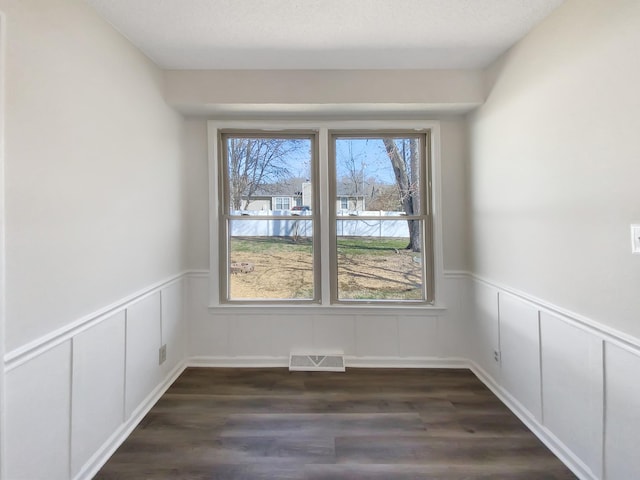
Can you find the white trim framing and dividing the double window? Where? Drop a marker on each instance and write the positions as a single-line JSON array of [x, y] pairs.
[[323, 128]]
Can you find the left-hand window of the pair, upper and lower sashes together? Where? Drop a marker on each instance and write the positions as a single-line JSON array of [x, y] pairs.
[[268, 257]]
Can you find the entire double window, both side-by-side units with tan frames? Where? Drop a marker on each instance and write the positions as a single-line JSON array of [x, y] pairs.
[[350, 223]]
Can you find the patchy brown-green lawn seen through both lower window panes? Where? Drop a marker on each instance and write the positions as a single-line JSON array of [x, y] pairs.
[[368, 269]]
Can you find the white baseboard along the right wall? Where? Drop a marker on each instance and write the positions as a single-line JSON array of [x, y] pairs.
[[544, 434]]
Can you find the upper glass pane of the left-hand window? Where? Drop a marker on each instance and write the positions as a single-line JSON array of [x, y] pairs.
[[267, 174]]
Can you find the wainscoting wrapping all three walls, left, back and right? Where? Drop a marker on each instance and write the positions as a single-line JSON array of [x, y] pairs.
[[73, 396]]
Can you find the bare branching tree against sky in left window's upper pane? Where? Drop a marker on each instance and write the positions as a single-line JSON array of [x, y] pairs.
[[254, 163]]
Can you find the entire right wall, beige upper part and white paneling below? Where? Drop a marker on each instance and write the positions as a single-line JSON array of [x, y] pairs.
[[552, 169]]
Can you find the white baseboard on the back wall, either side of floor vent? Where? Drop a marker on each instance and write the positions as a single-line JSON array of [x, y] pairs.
[[350, 361]]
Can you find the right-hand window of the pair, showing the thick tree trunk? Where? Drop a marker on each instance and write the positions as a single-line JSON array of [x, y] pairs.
[[379, 177]]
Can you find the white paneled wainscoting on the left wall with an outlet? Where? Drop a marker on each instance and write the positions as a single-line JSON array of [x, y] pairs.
[[74, 396]]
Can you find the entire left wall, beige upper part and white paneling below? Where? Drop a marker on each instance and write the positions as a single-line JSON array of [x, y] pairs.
[[95, 230]]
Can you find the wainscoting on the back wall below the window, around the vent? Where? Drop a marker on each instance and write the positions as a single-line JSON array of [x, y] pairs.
[[367, 336]]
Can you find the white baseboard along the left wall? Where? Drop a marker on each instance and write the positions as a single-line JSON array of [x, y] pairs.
[[100, 457]]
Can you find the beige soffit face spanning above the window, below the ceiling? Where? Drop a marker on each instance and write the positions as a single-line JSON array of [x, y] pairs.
[[328, 92]]
